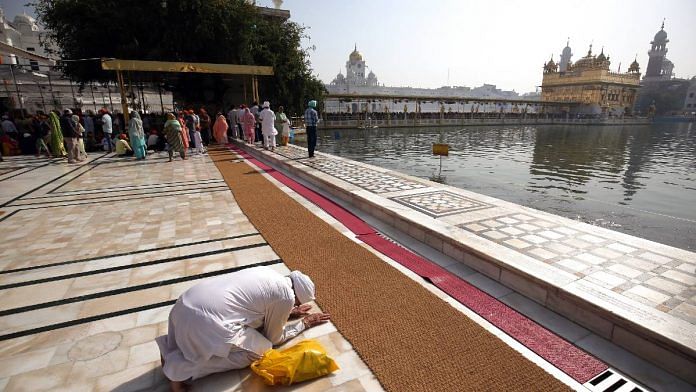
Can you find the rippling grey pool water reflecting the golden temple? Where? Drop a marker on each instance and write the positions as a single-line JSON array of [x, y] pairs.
[[636, 179]]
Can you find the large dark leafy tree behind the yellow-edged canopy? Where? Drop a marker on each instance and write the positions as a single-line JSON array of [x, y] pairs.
[[212, 31]]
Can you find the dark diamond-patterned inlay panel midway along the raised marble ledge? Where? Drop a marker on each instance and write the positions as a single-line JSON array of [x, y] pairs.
[[440, 203]]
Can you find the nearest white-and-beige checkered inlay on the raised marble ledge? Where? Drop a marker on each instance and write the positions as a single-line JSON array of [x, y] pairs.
[[656, 280]]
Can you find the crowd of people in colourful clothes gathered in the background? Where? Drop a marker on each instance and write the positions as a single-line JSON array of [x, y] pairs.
[[186, 132]]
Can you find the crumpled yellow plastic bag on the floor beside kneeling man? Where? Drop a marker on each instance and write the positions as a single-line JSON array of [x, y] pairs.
[[304, 361]]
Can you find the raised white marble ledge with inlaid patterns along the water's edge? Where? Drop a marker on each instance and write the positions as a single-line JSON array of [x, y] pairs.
[[628, 290]]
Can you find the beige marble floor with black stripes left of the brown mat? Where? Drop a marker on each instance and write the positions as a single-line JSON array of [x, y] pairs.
[[93, 257]]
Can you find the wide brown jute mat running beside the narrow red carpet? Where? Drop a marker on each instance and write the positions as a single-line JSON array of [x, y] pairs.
[[410, 339]]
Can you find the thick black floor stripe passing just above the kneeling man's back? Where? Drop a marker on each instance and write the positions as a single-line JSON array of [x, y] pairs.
[[122, 290]]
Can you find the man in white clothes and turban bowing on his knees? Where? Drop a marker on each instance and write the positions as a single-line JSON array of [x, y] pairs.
[[228, 322]]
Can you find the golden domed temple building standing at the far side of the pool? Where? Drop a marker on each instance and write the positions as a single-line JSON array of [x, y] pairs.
[[589, 86]]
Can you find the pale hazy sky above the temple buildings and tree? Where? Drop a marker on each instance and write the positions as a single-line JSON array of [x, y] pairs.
[[501, 42]]
